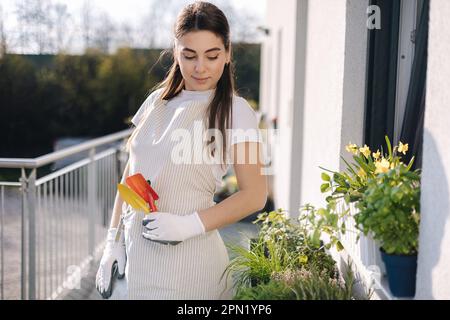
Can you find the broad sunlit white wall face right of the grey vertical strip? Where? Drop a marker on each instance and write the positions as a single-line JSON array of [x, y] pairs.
[[323, 99]]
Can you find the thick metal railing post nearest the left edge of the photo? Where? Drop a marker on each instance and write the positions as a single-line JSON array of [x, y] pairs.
[[31, 200]]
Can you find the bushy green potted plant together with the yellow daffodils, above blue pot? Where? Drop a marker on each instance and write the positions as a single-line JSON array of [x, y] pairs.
[[386, 193]]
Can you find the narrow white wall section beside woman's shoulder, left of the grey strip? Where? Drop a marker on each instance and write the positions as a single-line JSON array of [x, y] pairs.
[[277, 89]]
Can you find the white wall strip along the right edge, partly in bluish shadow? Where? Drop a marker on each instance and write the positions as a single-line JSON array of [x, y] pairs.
[[433, 274]]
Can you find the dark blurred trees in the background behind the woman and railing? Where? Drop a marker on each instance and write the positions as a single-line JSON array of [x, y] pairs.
[[47, 97]]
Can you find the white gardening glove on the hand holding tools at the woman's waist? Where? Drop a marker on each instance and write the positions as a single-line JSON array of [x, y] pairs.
[[168, 228]]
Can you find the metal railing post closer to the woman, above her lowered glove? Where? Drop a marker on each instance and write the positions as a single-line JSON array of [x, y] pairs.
[[92, 200]]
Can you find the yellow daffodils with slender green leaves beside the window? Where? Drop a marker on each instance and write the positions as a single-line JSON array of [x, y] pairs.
[[352, 183]]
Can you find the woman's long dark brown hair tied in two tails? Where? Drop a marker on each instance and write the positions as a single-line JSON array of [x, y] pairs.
[[205, 16]]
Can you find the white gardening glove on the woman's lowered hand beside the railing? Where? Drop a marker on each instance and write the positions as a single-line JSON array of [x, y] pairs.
[[113, 260]]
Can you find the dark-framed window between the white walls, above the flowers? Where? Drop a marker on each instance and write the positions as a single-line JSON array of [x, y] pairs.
[[396, 71]]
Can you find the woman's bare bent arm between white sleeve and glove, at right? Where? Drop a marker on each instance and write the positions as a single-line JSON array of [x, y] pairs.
[[252, 194]]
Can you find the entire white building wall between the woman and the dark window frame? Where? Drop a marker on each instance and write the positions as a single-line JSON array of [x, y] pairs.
[[321, 70]]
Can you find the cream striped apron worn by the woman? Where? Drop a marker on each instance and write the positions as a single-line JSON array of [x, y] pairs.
[[194, 268]]
